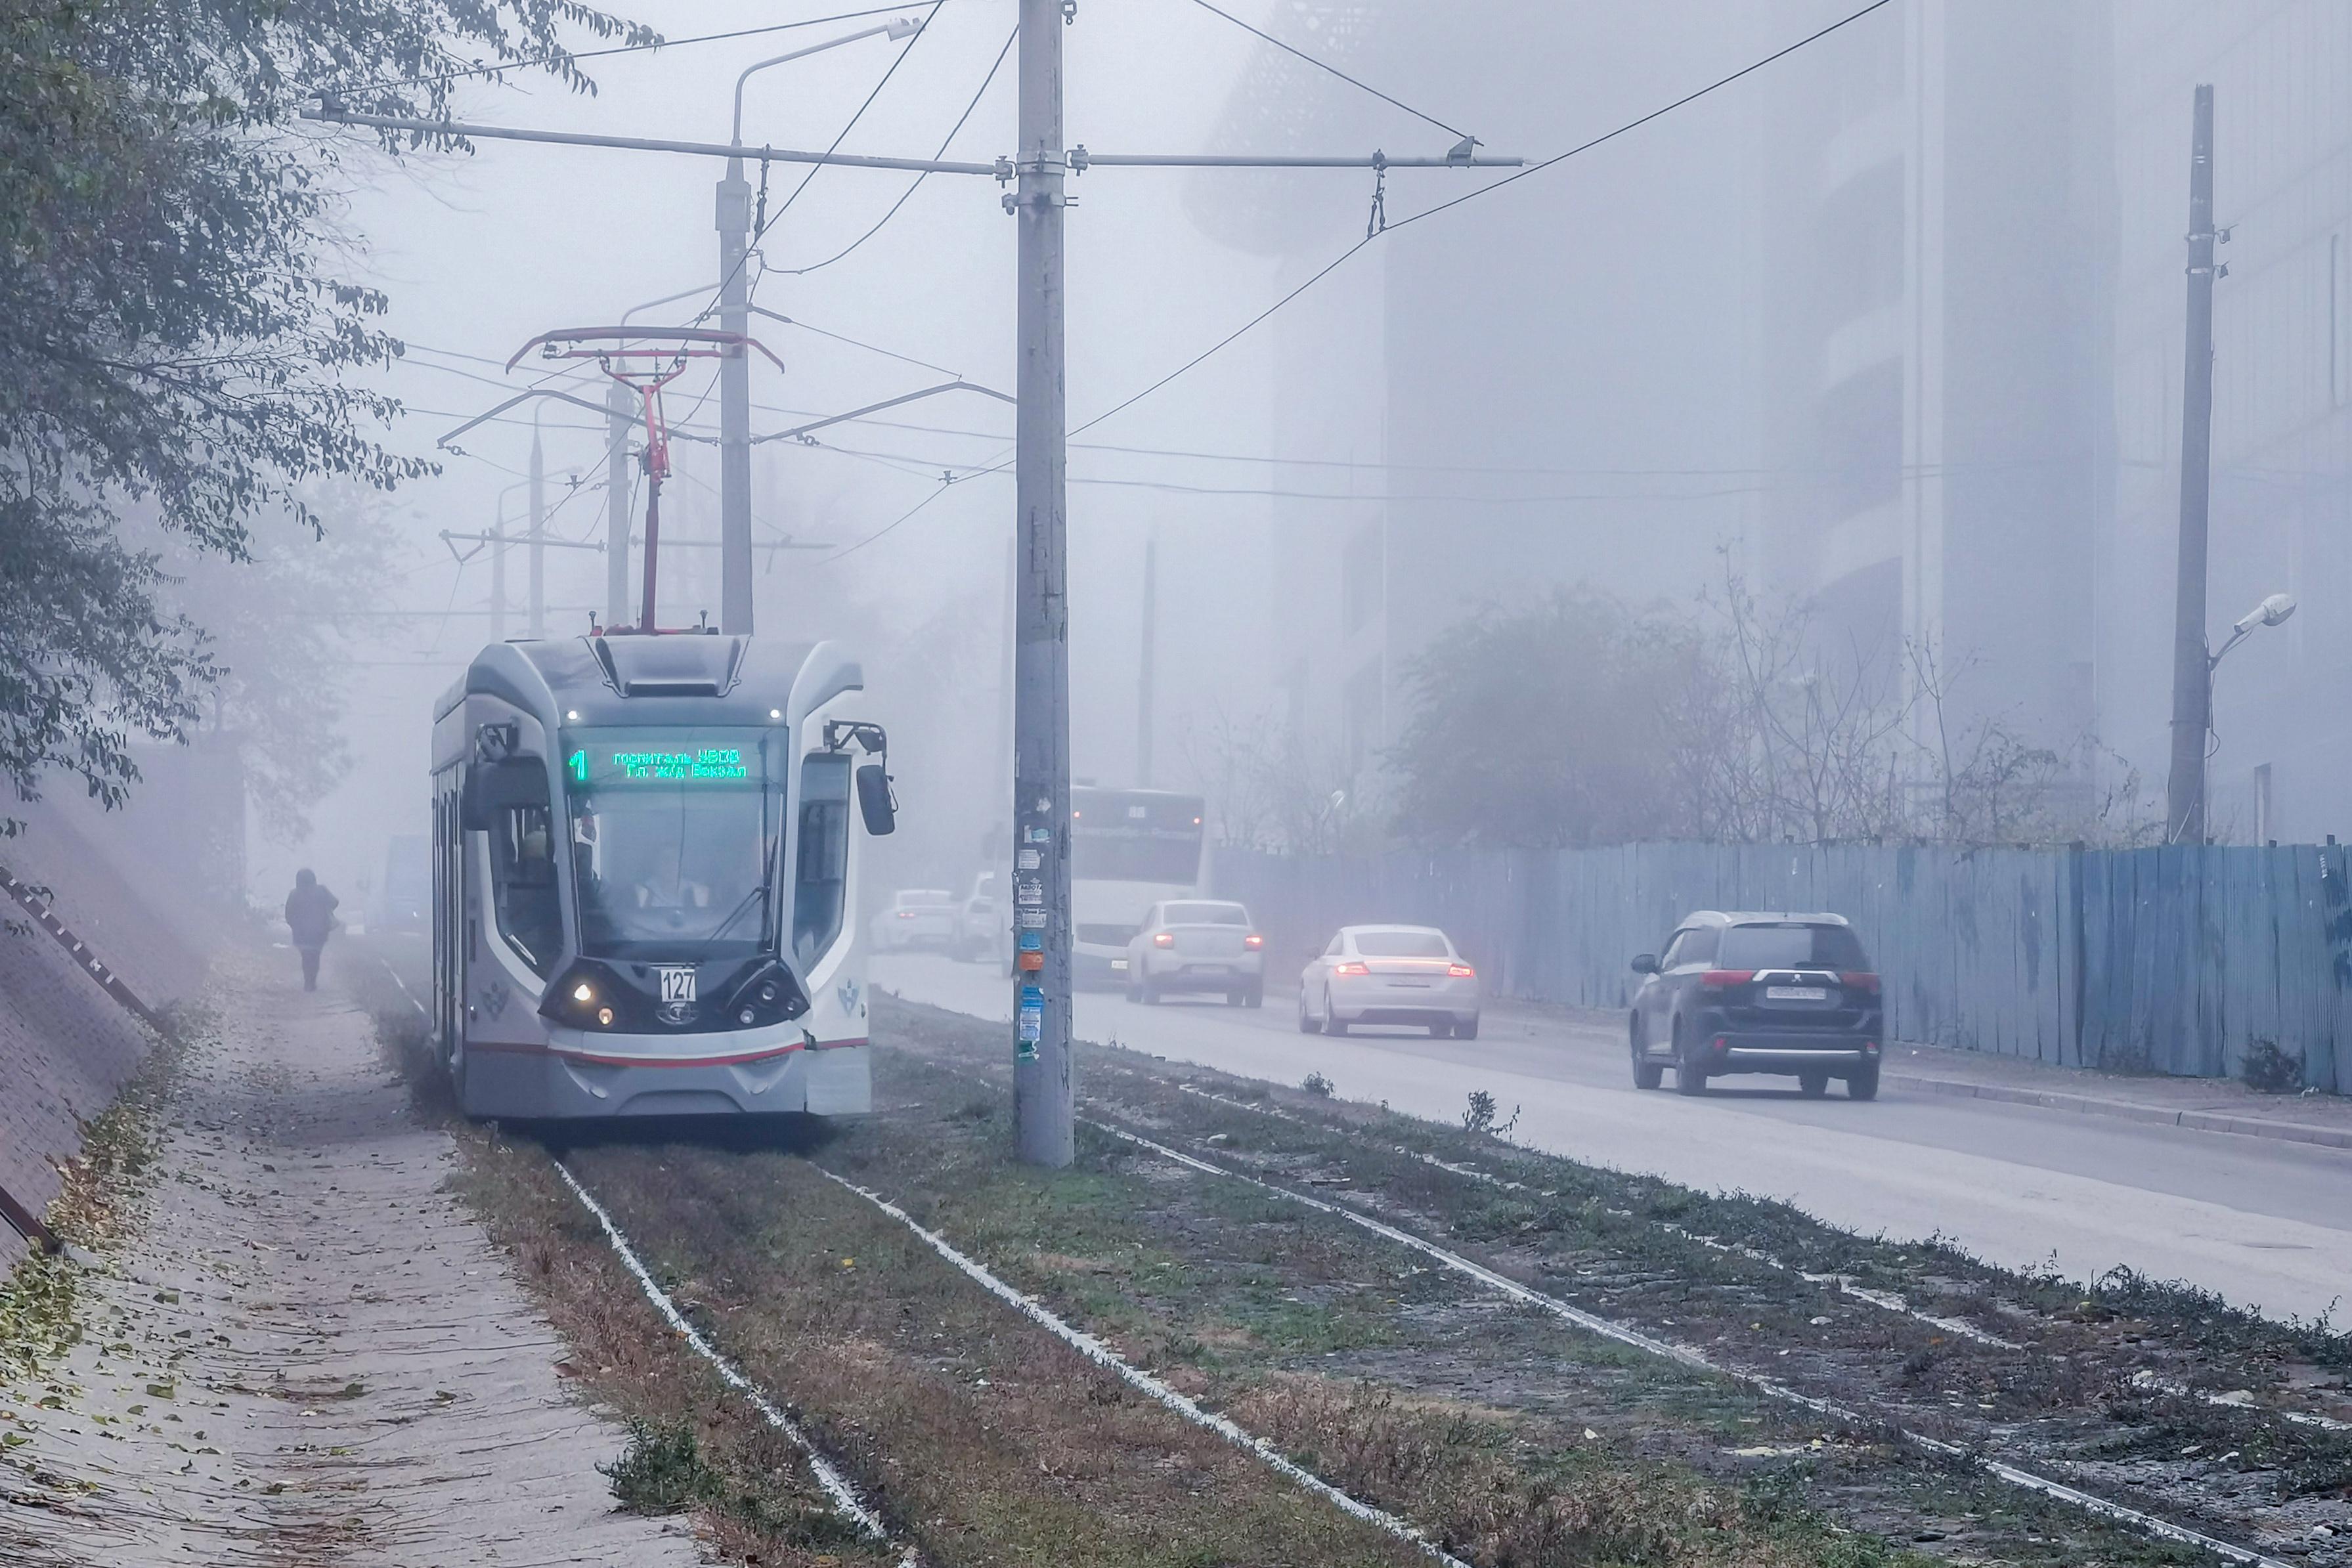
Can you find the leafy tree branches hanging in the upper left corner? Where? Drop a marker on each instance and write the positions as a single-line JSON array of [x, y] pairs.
[[175, 337]]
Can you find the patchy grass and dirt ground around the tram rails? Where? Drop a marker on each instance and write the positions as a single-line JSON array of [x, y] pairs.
[[1502, 1433]]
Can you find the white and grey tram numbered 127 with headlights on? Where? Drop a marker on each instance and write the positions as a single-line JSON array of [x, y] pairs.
[[646, 878]]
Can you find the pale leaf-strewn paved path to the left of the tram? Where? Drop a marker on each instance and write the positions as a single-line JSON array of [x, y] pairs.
[[312, 1355]]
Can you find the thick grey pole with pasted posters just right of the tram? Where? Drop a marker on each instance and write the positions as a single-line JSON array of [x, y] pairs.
[[1043, 1090]]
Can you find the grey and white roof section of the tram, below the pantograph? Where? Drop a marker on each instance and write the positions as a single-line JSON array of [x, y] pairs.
[[667, 678]]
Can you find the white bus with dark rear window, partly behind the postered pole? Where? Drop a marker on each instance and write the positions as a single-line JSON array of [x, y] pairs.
[[1128, 852]]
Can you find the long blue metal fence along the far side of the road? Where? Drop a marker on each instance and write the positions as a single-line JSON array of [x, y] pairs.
[[2165, 960]]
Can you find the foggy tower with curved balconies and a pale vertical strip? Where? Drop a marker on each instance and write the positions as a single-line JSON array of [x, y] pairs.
[[1930, 286]]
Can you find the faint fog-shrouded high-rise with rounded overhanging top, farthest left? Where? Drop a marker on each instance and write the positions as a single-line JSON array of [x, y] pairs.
[[1546, 387]]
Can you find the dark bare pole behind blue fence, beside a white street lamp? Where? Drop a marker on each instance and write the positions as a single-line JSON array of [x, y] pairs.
[[2193, 674]]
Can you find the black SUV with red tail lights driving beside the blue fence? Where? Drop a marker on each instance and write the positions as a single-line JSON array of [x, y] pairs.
[[1758, 993]]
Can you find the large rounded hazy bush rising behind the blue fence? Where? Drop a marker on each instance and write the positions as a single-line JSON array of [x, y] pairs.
[[1546, 728]]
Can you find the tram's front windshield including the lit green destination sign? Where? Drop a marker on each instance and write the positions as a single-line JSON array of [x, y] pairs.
[[674, 838]]
